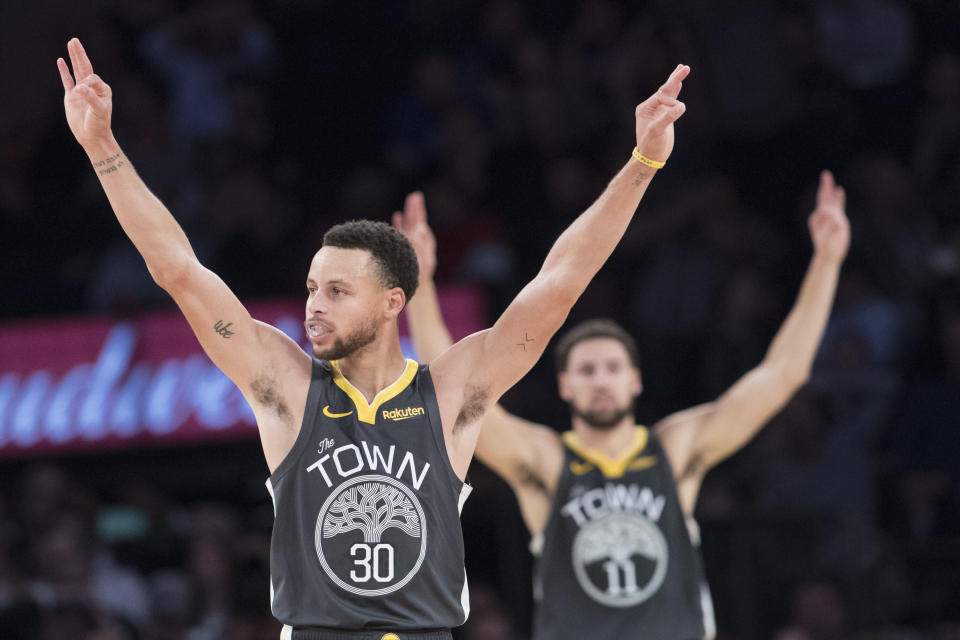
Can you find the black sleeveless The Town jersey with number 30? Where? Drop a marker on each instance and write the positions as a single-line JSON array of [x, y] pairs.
[[367, 530]]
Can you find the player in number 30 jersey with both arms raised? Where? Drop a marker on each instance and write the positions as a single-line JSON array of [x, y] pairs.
[[367, 451]]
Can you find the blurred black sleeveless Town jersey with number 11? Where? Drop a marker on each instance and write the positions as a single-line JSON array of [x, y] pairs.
[[617, 557]]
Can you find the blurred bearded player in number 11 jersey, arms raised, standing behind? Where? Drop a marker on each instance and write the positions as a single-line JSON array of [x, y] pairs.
[[610, 504]]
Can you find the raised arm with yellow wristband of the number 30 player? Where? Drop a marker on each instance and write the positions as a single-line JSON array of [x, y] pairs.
[[475, 372]]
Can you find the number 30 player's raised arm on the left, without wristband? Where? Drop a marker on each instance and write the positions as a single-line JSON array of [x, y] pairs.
[[269, 368]]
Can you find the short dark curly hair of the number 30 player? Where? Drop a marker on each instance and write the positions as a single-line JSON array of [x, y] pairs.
[[396, 260]]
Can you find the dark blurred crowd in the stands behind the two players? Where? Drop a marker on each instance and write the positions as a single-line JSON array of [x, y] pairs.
[[261, 124]]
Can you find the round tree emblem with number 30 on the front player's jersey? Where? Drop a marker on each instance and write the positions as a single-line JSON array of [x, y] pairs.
[[371, 535]]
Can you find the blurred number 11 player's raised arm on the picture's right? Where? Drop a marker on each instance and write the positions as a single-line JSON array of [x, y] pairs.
[[699, 438]]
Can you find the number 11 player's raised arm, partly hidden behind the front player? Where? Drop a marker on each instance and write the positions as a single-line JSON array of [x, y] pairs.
[[528, 456]]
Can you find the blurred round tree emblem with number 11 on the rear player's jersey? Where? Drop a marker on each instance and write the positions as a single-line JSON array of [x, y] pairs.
[[620, 559]]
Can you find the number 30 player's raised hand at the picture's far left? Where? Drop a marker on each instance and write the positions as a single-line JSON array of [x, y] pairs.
[[87, 99]]
